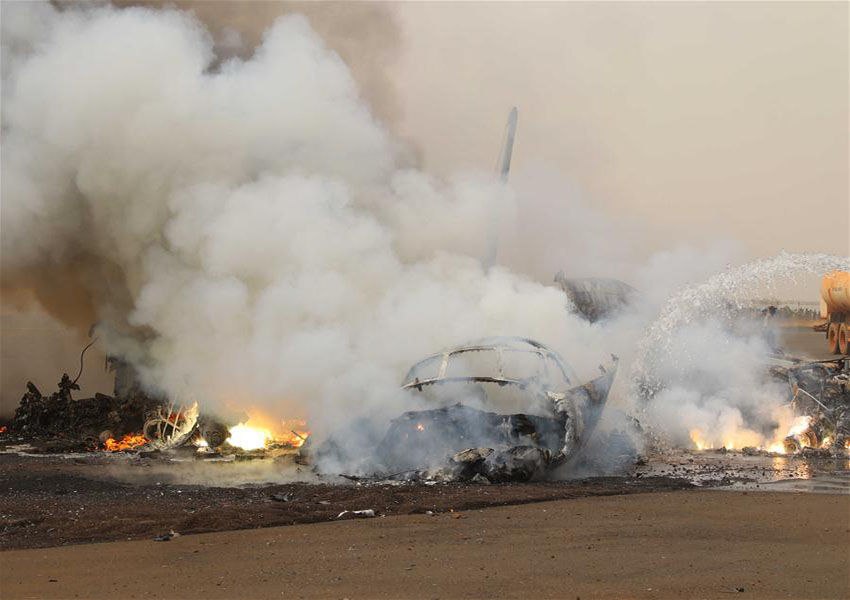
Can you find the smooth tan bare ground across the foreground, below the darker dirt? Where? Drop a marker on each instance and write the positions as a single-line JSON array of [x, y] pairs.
[[686, 544]]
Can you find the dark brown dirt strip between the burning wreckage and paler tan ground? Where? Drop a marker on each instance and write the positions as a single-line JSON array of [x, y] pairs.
[[50, 501]]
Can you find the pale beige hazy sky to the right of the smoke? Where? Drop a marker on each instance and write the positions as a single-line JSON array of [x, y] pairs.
[[706, 119]]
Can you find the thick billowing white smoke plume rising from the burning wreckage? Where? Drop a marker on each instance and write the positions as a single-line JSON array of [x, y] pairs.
[[247, 234]]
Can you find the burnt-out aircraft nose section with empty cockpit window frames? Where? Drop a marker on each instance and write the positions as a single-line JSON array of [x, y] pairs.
[[507, 409]]
